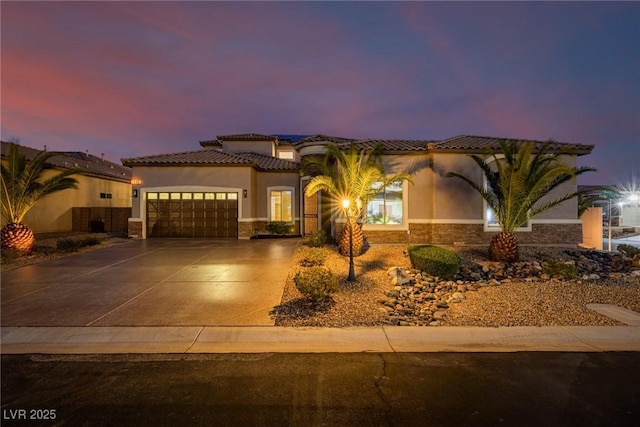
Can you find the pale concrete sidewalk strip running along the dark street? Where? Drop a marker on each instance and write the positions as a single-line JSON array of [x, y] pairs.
[[206, 339]]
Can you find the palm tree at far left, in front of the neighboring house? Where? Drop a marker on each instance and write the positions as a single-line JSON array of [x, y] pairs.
[[23, 186]]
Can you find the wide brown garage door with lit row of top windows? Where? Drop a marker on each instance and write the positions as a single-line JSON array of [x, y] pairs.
[[172, 214]]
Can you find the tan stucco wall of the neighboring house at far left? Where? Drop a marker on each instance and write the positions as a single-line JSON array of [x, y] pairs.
[[53, 213]]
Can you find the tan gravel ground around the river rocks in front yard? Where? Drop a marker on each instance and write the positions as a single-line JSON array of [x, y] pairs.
[[506, 302]]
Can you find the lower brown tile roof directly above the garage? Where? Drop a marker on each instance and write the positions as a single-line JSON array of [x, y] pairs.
[[213, 158]]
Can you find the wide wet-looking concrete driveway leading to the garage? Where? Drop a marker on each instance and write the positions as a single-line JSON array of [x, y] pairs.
[[157, 282]]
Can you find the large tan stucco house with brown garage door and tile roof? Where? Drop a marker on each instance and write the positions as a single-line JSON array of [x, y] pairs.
[[237, 183]]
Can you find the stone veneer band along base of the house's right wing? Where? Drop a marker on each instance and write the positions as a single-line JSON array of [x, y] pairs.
[[472, 234]]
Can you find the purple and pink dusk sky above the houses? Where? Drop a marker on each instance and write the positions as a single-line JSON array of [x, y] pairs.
[[129, 79]]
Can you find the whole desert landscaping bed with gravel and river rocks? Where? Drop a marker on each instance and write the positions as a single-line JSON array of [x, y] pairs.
[[483, 294]]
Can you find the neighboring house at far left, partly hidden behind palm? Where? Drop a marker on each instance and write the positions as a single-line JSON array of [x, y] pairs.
[[102, 201]]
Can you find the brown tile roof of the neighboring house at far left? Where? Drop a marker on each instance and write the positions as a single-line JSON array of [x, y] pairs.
[[92, 165]]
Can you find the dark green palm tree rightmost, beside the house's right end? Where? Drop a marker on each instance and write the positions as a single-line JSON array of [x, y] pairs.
[[517, 185]]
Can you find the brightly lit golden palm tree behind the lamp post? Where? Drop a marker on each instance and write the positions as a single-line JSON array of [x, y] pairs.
[[354, 176]]
